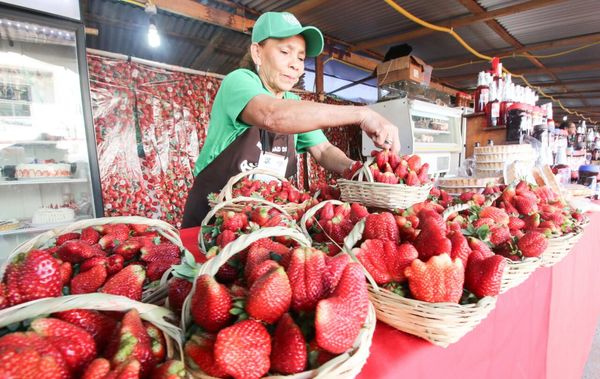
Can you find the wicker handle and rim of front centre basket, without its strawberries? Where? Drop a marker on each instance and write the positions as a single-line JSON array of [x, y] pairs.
[[346, 365]]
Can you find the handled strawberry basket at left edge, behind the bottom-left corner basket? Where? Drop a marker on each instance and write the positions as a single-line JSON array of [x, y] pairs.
[[129, 256]]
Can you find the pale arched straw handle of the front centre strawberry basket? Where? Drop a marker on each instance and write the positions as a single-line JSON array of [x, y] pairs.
[[211, 267]]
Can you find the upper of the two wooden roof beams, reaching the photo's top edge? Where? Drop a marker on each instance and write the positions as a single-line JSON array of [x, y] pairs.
[[456, 23]]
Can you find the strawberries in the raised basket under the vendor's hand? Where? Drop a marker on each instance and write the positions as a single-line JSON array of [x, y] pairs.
[[390, 168]]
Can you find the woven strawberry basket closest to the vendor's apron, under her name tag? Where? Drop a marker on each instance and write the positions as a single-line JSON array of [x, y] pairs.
[[279, 191]]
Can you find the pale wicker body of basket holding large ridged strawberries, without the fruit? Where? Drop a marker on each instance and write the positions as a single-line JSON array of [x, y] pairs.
[[439, 323]]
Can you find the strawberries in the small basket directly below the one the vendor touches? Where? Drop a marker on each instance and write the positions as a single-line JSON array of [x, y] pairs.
[[331, 224]]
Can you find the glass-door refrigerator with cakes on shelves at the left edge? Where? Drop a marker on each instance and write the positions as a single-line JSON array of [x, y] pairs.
[[49, 171]]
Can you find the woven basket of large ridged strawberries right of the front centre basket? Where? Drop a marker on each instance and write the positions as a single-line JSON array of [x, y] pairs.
[[429, 284]]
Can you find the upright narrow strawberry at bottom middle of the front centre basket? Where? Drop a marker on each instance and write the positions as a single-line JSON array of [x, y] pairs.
[[288, 351]]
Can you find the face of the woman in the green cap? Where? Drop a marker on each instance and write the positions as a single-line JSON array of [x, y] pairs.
[[280, 62]]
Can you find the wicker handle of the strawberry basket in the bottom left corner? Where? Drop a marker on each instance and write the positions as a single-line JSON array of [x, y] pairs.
[[161, 317]]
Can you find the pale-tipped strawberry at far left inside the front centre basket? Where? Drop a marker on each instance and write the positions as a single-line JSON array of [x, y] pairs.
[[211, 304]]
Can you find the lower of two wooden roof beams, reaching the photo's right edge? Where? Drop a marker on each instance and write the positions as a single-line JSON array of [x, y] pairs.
[[579, 40]]
